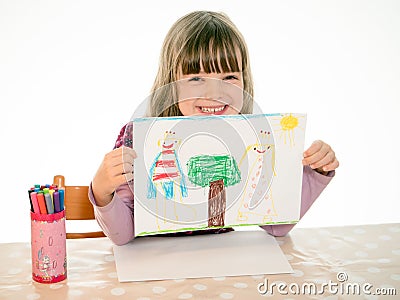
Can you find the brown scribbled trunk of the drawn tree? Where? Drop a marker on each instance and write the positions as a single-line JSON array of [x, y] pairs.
[[216, 203]]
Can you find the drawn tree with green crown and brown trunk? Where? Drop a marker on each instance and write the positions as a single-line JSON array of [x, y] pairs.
[[217, 172]]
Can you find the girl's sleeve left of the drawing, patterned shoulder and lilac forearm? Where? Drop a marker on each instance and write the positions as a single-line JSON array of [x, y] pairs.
[[116, 218]]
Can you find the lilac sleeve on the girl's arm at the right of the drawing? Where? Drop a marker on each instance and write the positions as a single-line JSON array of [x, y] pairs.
[[313, 185]]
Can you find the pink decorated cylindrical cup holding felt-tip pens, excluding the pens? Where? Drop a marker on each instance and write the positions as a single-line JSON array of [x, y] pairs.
[[48, 244]]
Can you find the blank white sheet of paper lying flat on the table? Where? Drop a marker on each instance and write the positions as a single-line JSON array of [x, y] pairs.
[[212, 255]]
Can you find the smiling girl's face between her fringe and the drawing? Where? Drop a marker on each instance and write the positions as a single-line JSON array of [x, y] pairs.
[[210, 93]]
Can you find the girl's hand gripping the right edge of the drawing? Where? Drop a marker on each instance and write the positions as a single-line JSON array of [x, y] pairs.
[[320, 157]]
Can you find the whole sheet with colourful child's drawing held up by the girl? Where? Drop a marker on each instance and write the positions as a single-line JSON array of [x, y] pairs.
[[217, 171]]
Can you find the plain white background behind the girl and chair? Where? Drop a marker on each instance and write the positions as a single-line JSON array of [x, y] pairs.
[[72, 73]]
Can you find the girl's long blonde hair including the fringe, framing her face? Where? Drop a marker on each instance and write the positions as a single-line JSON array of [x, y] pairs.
[[199, 39]]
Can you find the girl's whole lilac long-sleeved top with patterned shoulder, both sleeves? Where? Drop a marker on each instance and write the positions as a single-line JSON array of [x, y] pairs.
[[116, 218]]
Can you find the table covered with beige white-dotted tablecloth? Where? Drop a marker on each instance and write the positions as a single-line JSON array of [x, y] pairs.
[[367, 256]]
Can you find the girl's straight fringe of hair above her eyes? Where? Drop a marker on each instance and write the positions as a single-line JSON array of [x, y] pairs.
[[214, 49]]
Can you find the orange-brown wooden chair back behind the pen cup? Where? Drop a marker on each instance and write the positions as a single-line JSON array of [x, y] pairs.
[[77, 207]]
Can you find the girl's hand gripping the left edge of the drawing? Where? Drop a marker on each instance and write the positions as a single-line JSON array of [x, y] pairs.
[[116, 169]]
